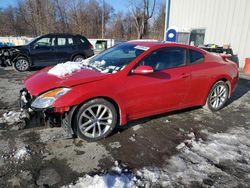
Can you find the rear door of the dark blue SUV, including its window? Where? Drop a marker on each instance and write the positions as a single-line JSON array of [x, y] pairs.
[[64, 49]]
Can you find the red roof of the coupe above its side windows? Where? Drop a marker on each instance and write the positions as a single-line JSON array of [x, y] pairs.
[[158, 44]]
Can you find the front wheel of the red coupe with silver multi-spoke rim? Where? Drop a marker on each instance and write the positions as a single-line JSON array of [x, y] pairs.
[[95, 120]]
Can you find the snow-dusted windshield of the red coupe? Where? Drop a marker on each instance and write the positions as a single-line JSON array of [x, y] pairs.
[[116, 58]]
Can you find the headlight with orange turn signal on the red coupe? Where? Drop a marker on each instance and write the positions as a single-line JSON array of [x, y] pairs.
[[47, 99]]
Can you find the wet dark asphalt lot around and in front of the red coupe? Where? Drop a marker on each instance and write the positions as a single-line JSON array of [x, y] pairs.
[[54, 160]]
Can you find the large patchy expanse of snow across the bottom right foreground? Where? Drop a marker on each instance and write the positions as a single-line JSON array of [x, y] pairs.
[[222, 160]]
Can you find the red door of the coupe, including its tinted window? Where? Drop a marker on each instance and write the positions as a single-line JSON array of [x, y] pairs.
[[164, 89]]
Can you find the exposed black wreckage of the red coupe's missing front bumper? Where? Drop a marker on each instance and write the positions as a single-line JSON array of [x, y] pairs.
[[47, 116]]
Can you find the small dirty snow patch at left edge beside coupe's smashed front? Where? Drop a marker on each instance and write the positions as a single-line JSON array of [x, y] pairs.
[[13, 117]]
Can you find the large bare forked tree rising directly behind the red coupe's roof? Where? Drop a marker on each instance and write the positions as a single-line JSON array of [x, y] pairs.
[[142, 11]]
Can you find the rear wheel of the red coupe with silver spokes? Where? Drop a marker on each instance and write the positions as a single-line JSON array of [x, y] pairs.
[[217, 96]]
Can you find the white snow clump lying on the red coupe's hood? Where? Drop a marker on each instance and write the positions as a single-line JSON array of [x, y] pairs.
[[63, 69]]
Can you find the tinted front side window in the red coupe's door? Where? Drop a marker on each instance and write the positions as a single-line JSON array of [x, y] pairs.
[[165, 58]]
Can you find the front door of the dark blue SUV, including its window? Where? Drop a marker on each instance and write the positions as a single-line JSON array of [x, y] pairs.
[[42, 51]]
